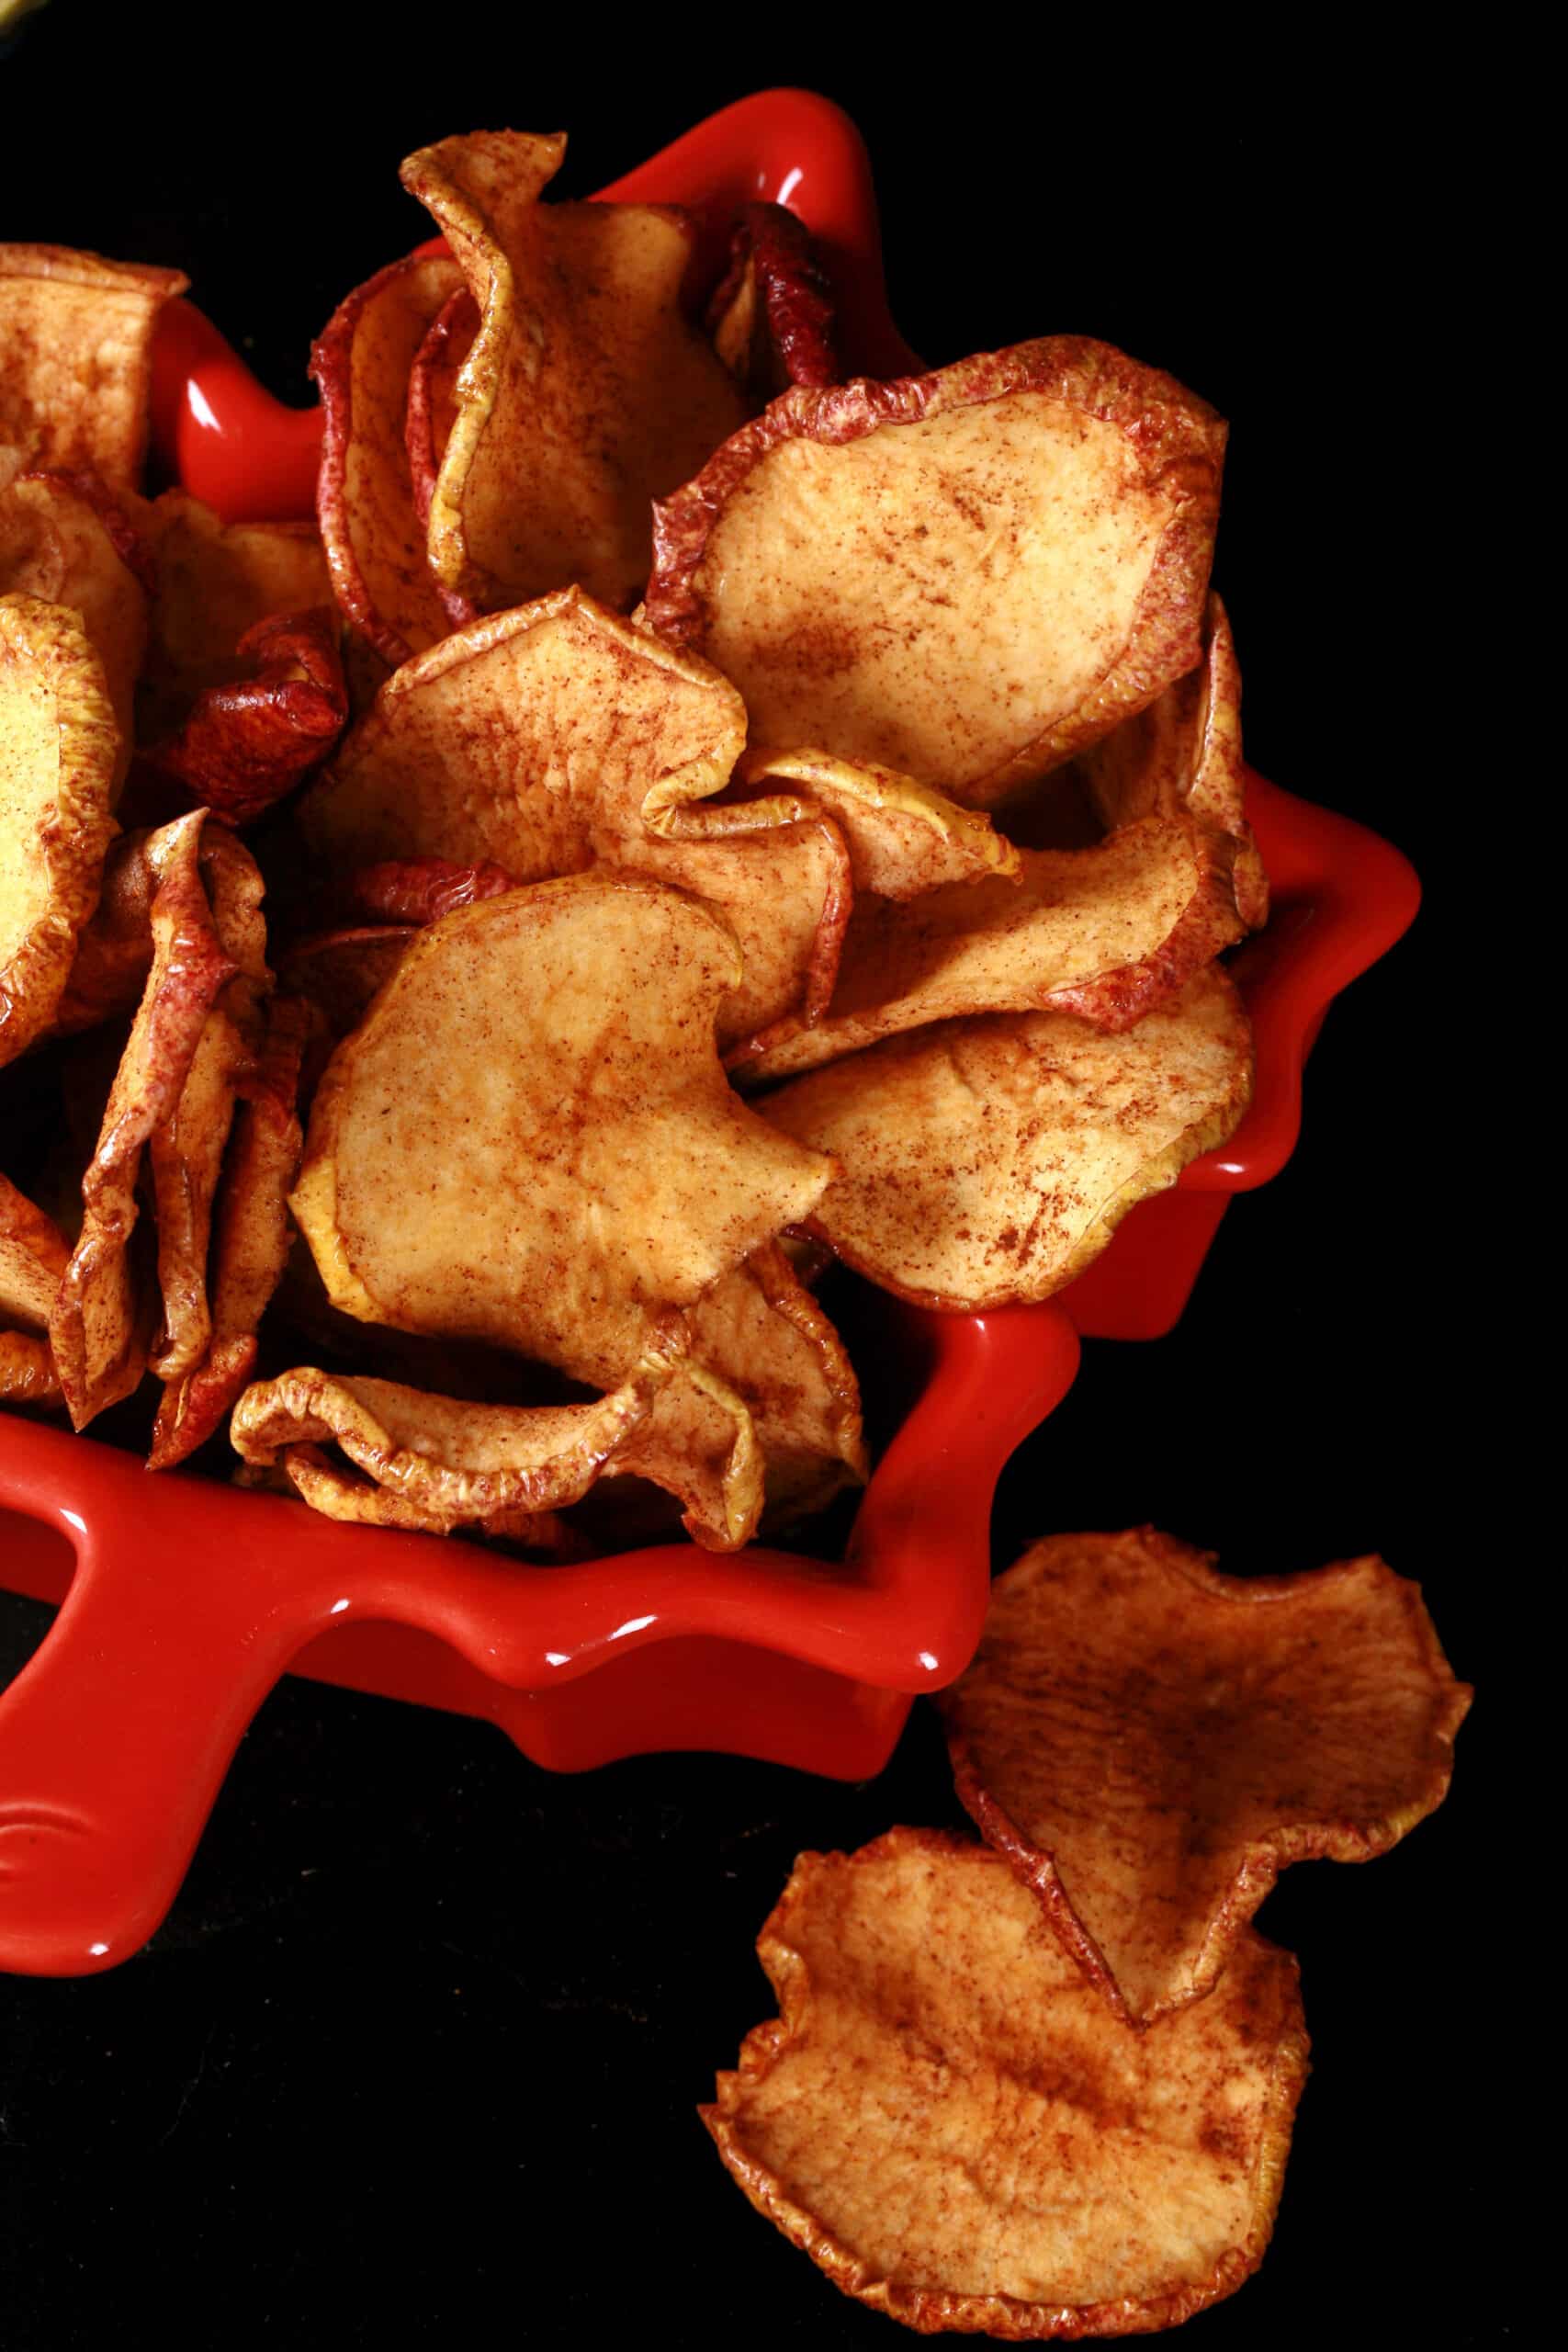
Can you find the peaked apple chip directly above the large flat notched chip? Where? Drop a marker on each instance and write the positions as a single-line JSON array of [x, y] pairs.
[[525, 740]]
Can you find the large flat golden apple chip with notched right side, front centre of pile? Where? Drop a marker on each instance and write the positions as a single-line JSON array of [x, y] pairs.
[[530, 1137]]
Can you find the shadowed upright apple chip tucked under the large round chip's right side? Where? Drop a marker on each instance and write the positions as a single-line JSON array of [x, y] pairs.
[[1184, 756]]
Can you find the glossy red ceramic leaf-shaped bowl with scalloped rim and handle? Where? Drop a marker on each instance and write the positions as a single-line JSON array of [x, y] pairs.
[[185, 1601]]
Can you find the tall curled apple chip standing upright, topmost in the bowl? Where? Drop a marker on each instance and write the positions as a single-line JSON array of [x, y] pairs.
[[587, 392]]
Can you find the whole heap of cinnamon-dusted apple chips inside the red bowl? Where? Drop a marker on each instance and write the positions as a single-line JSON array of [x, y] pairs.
[[711, 817]]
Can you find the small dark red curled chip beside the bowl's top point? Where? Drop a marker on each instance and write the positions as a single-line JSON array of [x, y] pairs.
[[772, 314]]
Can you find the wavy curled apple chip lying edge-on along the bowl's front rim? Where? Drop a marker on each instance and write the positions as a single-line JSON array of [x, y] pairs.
[[455, 1462]]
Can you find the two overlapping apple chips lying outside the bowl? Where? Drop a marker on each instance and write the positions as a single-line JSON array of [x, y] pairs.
[[1045, 2085]]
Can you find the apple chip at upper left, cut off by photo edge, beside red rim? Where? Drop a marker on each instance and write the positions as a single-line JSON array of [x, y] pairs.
[[76, 359]]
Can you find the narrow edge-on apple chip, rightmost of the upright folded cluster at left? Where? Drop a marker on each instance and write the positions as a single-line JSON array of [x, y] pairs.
[[250, 1238]]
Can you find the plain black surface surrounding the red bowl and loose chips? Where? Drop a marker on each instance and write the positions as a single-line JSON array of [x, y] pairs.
[[427, 2029]]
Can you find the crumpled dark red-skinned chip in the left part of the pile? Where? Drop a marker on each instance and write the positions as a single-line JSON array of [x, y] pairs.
[[246, 744]]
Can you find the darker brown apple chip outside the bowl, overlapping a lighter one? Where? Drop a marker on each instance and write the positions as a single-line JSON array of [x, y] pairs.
[[1254, 1723]]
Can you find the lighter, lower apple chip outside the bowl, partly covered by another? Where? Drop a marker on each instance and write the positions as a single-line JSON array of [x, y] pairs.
[[960, 2134]]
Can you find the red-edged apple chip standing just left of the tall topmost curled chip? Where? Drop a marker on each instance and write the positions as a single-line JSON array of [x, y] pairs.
[[366, 497]]
